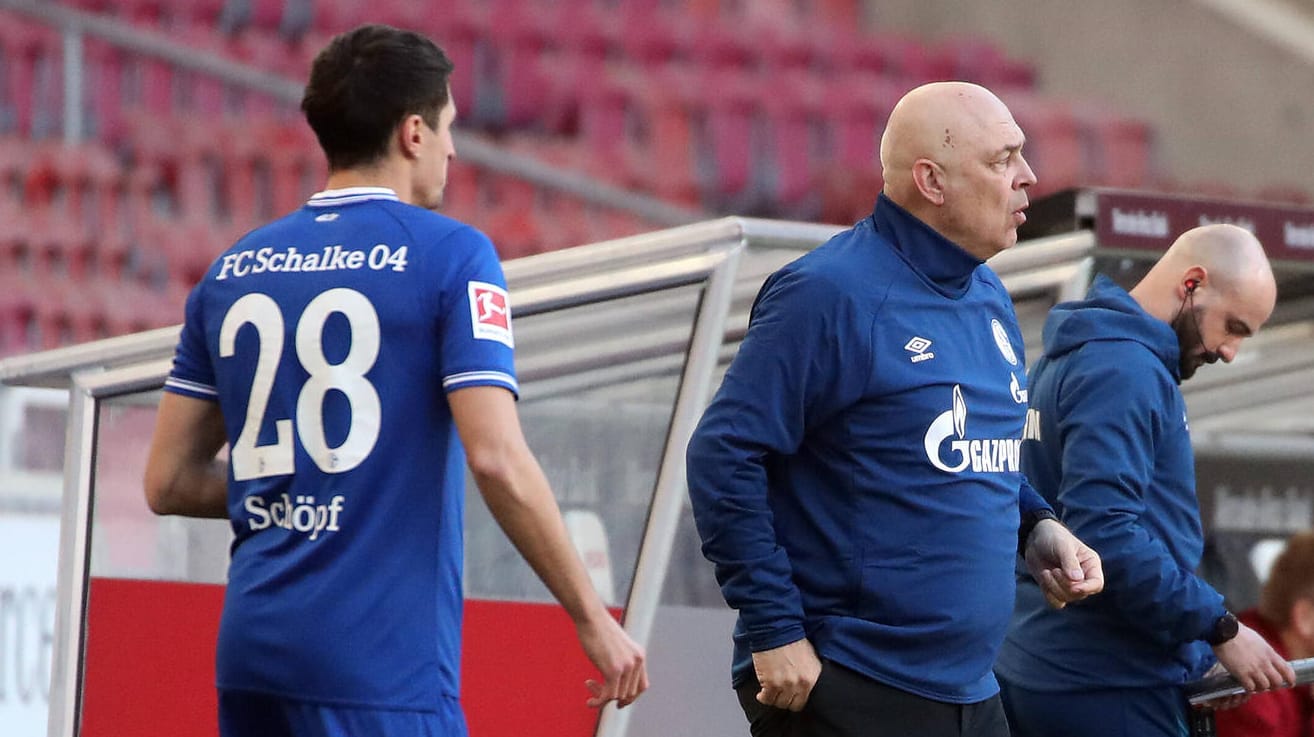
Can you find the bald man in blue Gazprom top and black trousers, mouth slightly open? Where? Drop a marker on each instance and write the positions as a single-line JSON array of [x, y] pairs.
[[856, 479]]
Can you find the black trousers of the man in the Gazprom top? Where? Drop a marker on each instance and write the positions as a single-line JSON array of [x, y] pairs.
[[846, 703]]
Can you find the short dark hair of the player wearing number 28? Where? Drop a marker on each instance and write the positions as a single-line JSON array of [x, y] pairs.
[[365, 83]]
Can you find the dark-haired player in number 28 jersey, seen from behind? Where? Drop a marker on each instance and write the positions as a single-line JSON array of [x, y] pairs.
[[357, 355]]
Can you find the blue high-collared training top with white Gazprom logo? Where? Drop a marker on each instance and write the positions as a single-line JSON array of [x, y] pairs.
[[856, 479]]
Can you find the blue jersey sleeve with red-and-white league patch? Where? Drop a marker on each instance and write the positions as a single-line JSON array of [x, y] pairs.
[[475, 328]]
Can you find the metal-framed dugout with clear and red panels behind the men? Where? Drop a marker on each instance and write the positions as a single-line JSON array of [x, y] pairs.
[[620, 347]]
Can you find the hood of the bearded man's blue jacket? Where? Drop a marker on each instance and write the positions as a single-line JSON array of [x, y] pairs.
[[1110, 313]]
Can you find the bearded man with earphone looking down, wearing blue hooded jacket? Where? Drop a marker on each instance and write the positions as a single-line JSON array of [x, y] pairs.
[[1112, 455]]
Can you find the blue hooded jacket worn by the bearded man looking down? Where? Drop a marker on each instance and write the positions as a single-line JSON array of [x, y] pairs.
[[1115, 460]]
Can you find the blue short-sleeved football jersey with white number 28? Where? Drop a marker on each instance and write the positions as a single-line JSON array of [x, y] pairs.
[[330, 338]]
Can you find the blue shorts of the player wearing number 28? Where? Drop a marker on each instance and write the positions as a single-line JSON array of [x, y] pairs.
[[244, 714]]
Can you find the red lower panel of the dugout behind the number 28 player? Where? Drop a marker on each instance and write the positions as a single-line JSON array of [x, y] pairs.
[[150, 665]]
